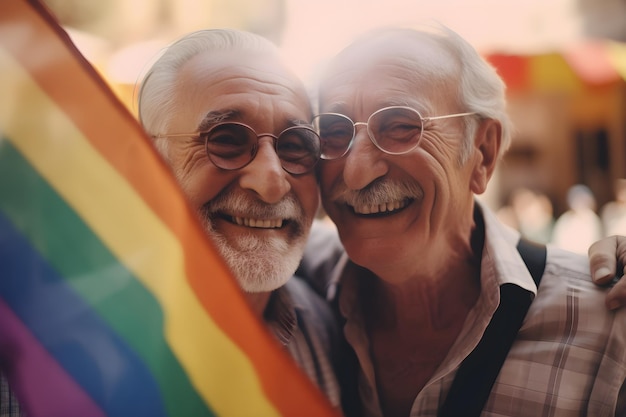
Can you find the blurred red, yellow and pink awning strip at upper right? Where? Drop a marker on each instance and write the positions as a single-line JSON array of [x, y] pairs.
[[585, 65]]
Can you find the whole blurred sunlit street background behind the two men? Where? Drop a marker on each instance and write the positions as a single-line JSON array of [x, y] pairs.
[[564, 62]]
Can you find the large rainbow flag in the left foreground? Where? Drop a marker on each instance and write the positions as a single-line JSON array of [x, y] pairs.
[[112, 300]]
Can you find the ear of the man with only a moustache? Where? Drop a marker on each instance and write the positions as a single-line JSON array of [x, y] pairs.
[[486, 146]]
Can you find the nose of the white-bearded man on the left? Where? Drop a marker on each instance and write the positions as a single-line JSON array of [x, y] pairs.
[[265, 175]]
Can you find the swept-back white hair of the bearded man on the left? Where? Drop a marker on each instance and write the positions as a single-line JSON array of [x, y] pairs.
[[156, 104]]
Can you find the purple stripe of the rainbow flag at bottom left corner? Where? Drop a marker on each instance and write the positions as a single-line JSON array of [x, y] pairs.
[[31, 379]]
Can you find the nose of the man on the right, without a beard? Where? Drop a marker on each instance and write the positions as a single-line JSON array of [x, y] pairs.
[[364, 162]]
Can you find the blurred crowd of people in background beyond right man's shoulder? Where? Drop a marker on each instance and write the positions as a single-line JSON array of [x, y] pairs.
[[531, 212]]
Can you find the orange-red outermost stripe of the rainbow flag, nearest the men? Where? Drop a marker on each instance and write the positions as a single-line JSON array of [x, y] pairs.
[[287, 388]]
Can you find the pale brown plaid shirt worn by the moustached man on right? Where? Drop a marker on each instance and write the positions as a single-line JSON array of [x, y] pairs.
[[569, 358]]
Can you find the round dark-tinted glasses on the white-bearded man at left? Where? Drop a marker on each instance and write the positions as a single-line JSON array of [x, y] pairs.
[[234, 145]]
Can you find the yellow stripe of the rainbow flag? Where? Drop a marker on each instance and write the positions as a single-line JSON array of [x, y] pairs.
[[216, 366]]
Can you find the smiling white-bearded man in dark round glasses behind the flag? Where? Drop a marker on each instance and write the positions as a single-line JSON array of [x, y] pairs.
[[233, 123]]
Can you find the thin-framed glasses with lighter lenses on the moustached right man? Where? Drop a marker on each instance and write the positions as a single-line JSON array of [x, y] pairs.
[[394, 130]]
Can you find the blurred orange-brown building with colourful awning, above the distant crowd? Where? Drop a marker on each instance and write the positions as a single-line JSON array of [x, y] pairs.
[[569, 111]]
